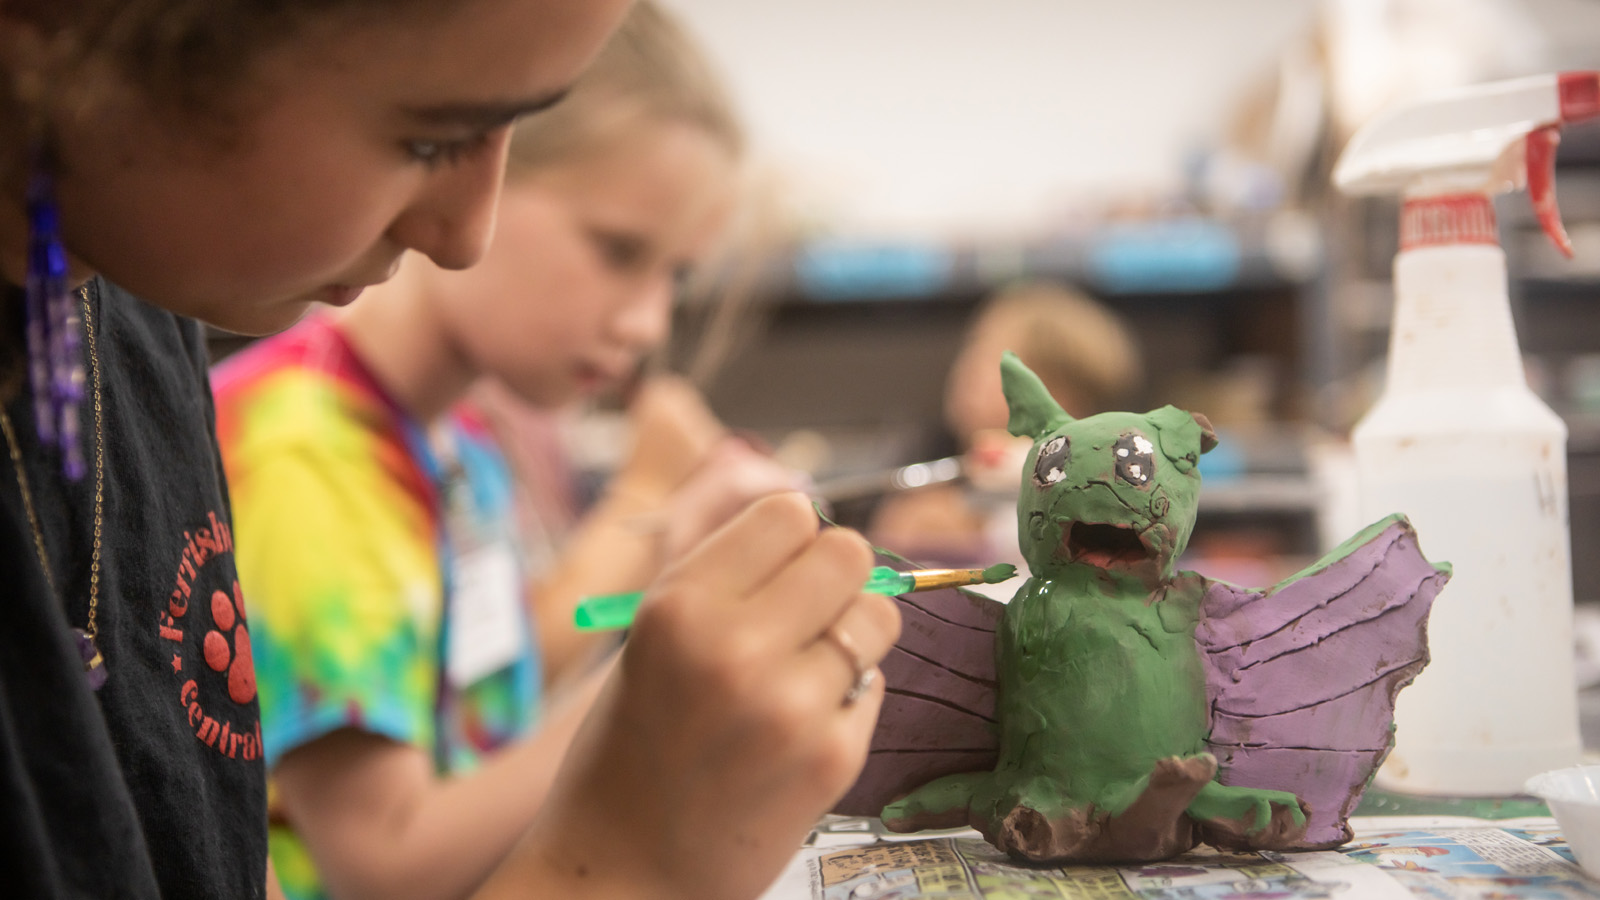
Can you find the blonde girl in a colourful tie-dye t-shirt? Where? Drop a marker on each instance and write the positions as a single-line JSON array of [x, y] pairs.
[[375, 518]]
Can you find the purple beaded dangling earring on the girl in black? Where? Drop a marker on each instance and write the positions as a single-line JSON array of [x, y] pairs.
[[55, 360]]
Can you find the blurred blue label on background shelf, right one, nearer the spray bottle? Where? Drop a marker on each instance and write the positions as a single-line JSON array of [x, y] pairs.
[[1172, 257]]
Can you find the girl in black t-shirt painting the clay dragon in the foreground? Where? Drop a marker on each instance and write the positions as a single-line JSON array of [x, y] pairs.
[[236, 163]]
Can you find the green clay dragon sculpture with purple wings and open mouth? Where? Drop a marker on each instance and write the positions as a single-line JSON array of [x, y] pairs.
[[1119, 710]]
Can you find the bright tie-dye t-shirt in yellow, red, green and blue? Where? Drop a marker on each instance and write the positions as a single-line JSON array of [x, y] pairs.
[[343, 513]]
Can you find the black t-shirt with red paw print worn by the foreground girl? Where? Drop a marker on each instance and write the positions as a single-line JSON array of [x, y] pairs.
[[153, 787]]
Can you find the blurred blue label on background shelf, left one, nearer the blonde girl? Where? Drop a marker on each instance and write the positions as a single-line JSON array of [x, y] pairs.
[[846, 271]]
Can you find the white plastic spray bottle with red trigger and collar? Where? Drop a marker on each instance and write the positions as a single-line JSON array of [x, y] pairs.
[[1462, 446]]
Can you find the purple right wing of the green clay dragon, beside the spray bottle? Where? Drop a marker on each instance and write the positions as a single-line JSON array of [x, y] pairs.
[[1302, 678]]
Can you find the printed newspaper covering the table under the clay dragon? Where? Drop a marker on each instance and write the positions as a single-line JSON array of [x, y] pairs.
[[1390, 859]]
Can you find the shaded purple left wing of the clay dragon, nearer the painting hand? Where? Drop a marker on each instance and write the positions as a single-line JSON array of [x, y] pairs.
[[940, 710]]
